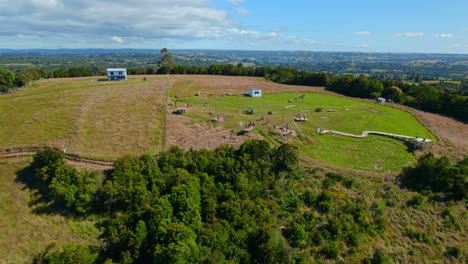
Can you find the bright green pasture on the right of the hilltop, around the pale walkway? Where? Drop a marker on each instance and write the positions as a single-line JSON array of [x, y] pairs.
[[374, 153]]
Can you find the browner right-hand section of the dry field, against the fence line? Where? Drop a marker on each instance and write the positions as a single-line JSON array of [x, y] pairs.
[[123, 119]]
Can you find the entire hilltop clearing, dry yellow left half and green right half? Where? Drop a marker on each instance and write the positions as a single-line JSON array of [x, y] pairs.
[[106, 120]]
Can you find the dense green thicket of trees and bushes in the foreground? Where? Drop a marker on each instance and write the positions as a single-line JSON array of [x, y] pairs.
[[246, 205]]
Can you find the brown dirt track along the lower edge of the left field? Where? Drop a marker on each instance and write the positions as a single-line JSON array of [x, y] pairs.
[[72, 159]]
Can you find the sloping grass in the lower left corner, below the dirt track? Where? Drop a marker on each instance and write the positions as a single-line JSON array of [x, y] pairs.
[[24, 232]]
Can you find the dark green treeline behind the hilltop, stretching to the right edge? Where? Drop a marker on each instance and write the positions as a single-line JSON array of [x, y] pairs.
[[439, 99]]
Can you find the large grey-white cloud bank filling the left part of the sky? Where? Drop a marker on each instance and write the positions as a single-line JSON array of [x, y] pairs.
[[143, 23]]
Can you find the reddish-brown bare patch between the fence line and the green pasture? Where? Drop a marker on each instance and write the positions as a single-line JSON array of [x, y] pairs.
[[186, 133]]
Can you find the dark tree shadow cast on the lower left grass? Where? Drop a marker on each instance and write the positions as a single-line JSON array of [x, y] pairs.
[[41, 200]]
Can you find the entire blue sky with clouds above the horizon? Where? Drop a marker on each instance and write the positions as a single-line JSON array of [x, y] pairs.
[[316, 25]]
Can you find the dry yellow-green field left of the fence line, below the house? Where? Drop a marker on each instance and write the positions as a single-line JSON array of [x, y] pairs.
[[96, 119]]
